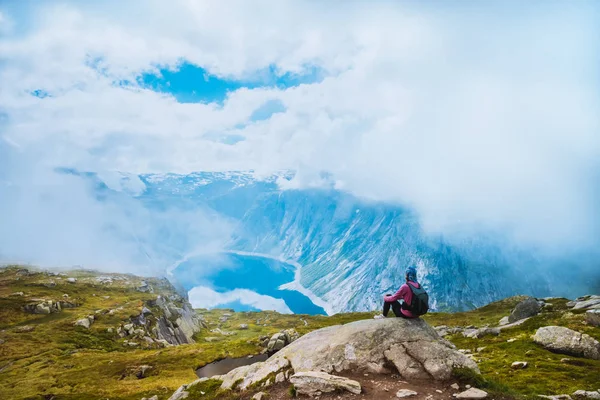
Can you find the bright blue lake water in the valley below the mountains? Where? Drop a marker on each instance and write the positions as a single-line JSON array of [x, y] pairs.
[[227, 272]]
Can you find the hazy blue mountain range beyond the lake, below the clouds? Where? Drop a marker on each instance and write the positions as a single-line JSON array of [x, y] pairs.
[[352, 251]]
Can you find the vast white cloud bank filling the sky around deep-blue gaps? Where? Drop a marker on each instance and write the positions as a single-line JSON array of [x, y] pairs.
[[478, 116]]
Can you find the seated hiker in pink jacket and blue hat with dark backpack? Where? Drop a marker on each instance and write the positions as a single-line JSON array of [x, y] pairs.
[[414, 298]]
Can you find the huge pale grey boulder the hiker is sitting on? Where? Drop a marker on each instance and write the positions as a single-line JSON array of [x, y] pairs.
[[369, 345]]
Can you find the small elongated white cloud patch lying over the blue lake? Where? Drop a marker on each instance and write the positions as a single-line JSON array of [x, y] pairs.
[[205, 297]]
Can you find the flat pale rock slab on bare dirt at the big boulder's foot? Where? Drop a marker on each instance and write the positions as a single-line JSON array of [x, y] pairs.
[[315, 383]]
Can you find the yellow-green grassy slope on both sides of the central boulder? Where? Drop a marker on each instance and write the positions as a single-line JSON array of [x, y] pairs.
[[73, 363]]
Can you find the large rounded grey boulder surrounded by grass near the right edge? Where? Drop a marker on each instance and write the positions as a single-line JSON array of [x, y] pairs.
[[567, 341]]
